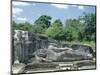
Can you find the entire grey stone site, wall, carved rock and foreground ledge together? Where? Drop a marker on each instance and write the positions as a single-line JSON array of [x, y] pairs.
[[35, 51]]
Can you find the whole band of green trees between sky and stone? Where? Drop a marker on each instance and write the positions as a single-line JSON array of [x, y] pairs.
[[80, 29]]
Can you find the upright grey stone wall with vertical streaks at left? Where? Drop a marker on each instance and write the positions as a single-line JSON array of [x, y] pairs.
[[25, 43]]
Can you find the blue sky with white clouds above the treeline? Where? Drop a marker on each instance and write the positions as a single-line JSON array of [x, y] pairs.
[[29, 11]]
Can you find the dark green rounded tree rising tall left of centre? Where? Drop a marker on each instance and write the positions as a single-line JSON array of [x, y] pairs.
[[42, 23]]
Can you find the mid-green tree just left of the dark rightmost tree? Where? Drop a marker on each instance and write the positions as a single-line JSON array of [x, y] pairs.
[[73, 29]]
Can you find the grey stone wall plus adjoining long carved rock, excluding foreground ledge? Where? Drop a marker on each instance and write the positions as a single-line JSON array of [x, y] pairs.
[[29, 46]]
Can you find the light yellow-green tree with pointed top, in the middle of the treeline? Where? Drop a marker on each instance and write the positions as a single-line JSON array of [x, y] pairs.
[[56, 31]]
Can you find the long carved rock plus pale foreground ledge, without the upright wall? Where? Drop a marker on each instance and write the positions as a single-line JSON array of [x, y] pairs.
[[72, 57]]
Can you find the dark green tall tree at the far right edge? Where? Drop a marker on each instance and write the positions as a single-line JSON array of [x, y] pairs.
[[89, 22]]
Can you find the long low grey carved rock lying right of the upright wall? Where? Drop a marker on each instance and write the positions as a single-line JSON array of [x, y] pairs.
[[74, 52]]
